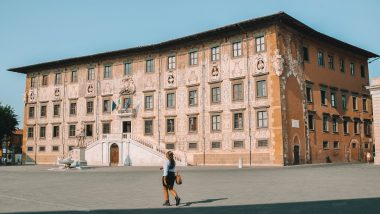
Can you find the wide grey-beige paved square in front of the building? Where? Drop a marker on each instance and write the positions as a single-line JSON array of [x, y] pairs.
[[345, 188]]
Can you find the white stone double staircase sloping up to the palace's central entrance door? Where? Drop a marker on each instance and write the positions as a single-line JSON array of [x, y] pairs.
[[144, 144]]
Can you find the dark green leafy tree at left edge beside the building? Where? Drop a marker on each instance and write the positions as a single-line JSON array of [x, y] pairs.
[[8, 120]]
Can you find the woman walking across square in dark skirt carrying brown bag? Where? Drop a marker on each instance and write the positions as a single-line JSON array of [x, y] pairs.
[[168, 179]]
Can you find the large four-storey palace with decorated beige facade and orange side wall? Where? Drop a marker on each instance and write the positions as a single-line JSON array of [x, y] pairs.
[[270, 90]]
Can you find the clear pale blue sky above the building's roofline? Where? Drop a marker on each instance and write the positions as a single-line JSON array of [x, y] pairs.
[[44, 30]]
